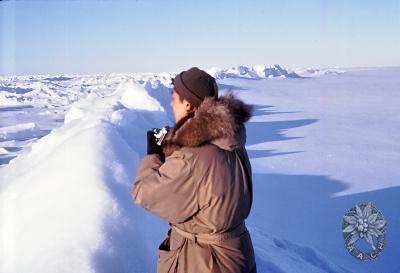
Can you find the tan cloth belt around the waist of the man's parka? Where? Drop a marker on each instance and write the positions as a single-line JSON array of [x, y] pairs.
[[215, 238]]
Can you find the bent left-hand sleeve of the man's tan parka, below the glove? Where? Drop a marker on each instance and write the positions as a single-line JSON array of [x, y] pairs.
[[168, 189]]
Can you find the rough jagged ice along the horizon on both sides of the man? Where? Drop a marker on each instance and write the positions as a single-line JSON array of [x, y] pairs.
[[57, 90]]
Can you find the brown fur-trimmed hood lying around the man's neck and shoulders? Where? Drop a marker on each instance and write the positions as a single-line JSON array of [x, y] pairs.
[[219, 122]]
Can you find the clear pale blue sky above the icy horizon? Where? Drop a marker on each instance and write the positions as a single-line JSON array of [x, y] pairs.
[[85, 37]]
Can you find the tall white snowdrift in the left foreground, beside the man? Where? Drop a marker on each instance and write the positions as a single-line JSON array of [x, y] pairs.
[[66, 203]]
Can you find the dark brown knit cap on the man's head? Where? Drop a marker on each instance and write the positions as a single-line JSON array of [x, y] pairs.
[[194, 85]]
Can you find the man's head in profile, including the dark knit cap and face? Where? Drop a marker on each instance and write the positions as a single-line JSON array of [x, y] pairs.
[[191, 87]]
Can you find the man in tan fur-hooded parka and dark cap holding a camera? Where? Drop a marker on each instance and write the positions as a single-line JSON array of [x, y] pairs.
[[204, 187]]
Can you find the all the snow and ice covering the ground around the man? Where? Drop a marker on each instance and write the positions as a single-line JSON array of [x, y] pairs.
[[320, 142]]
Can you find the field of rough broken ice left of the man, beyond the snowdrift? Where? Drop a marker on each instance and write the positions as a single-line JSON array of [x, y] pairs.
[[61, 90]]
